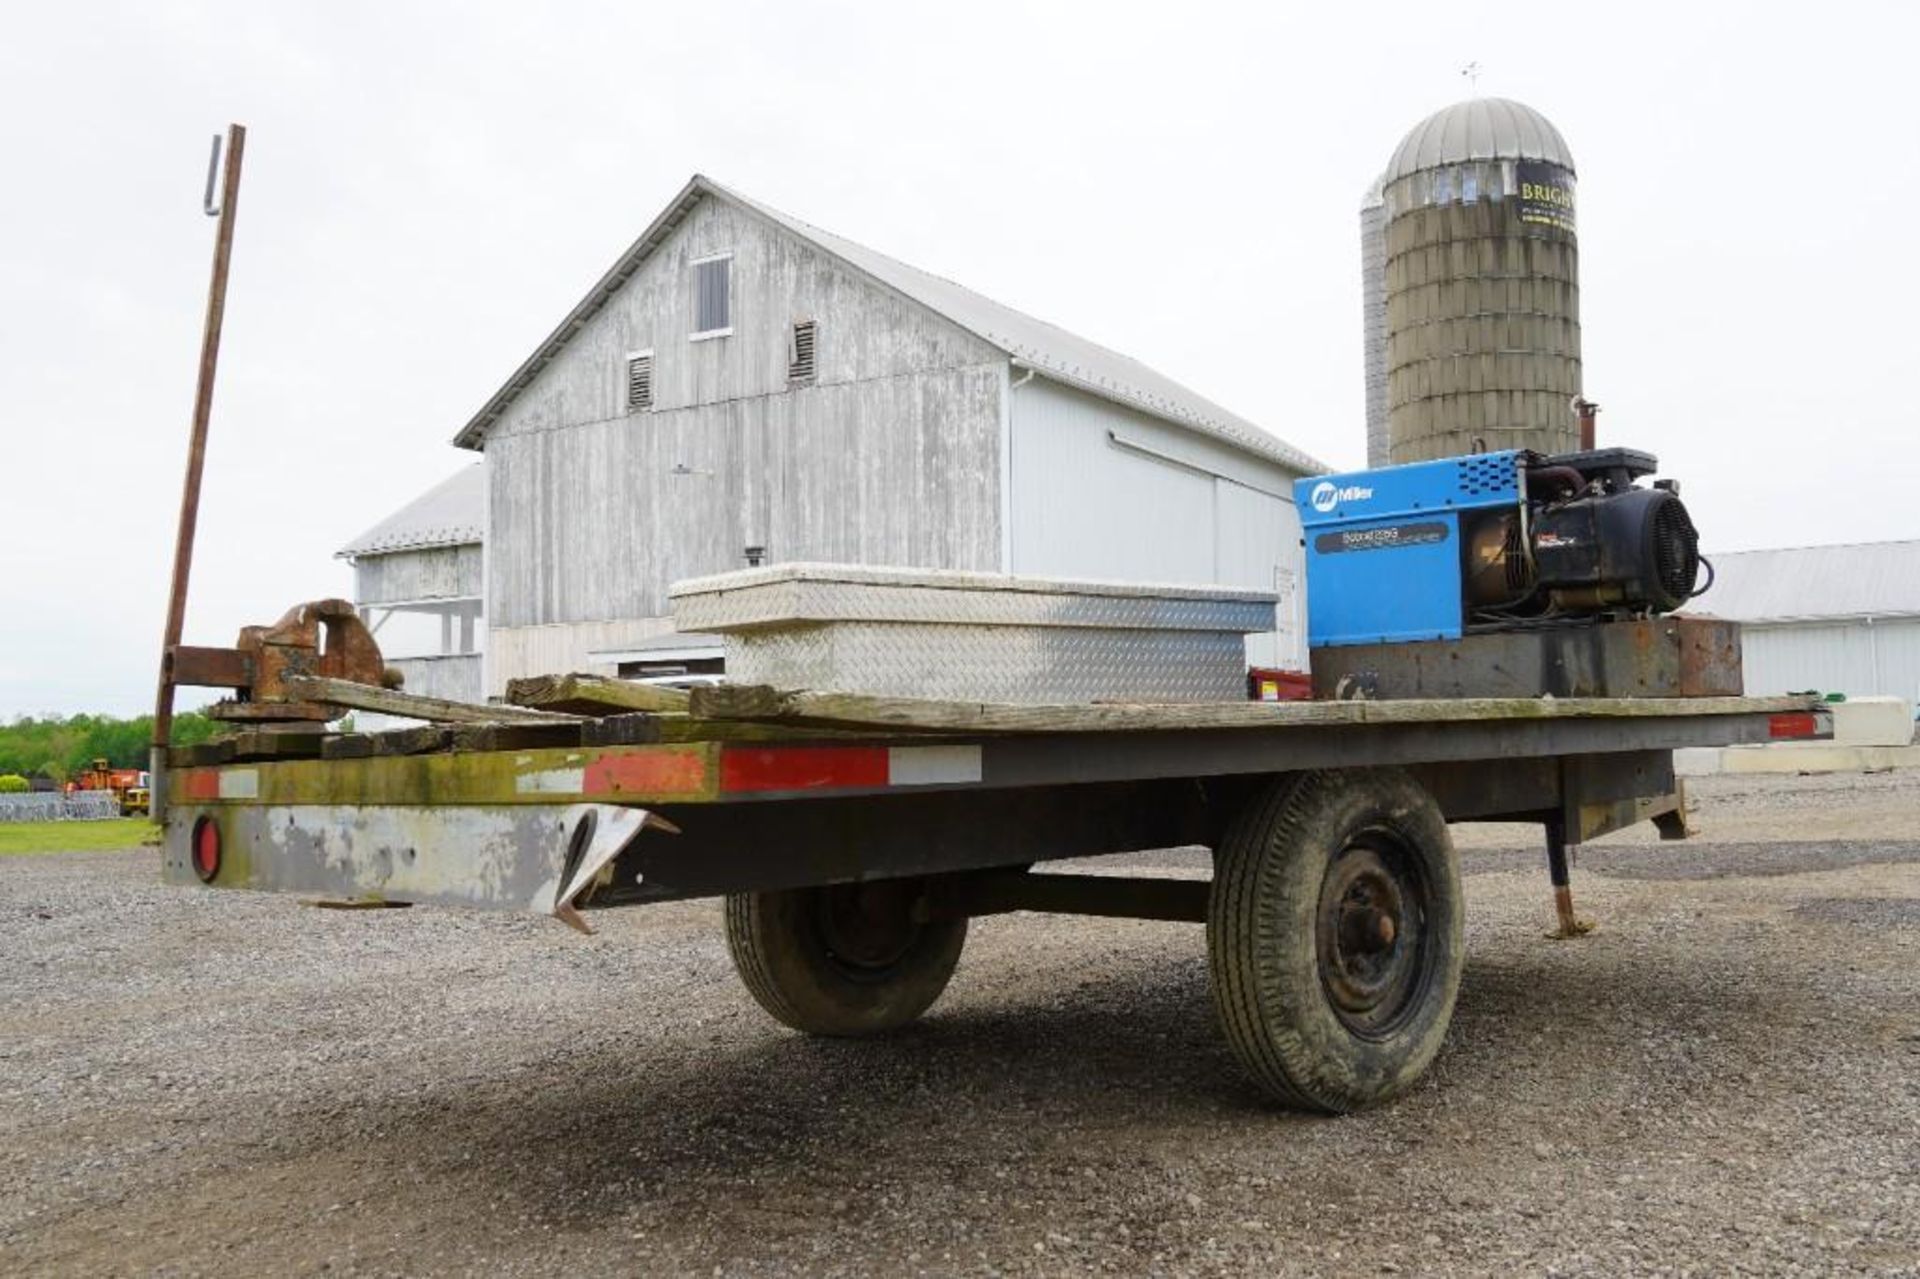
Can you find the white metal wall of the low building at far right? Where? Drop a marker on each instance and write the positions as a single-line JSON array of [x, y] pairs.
[[1836, 658]]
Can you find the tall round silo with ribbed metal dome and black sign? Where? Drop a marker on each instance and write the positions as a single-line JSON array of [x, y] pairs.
[[1474, 302]]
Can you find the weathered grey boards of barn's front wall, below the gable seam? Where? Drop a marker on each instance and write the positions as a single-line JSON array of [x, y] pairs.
[[594, 521]]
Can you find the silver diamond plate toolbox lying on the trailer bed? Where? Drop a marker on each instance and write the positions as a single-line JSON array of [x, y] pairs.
[[974, 637]]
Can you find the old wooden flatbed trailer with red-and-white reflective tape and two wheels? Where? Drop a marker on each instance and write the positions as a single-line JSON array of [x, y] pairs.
[[853, 838]]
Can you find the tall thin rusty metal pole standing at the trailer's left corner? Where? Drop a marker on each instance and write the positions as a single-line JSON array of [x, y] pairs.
[[197, 452]]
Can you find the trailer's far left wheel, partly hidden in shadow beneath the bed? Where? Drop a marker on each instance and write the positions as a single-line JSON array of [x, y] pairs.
[[848, 959]]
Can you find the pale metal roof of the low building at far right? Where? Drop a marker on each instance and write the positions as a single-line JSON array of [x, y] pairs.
[[1812, 583]]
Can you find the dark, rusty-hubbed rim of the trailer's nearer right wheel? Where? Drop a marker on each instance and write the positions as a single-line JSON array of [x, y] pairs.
[[1372, 934]]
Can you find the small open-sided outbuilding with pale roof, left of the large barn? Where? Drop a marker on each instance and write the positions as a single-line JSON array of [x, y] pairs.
[[420, 579]]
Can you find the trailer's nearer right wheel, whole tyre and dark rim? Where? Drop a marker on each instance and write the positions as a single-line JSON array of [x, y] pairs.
[[1335, 936]]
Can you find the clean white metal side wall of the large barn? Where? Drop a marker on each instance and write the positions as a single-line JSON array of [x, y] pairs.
[[1105, 493]]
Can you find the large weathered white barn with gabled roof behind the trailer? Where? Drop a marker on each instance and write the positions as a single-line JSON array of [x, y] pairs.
[[742, 387]]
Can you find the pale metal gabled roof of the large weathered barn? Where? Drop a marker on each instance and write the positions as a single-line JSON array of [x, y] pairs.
[[1030, 343]]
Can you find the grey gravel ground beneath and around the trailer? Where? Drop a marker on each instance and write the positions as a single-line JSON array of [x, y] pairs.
[[1725, 1078]]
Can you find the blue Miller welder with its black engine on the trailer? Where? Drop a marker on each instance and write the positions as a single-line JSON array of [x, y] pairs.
[[1493, 543]]
